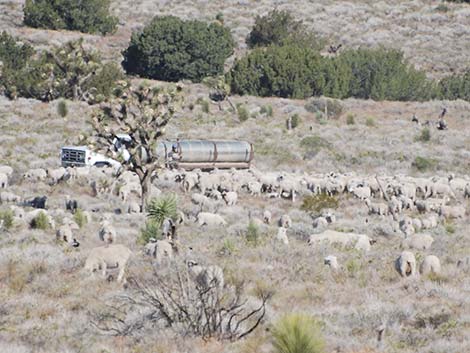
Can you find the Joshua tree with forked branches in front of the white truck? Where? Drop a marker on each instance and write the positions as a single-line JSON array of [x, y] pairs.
[[142, 113]]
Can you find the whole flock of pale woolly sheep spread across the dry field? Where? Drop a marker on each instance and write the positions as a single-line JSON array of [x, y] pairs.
[[395, 198]]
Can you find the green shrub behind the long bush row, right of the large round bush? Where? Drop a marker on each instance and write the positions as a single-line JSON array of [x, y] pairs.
[[279, 27]]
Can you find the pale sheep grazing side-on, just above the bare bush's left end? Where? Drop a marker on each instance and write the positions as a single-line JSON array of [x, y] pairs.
[[108, 257]]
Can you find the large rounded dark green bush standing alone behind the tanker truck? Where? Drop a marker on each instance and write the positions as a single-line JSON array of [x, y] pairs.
[[171, 49]]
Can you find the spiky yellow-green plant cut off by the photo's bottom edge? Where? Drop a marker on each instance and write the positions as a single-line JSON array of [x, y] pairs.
[[297, 333]]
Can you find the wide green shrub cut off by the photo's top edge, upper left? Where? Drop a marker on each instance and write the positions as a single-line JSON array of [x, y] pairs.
[[88, 16]]
